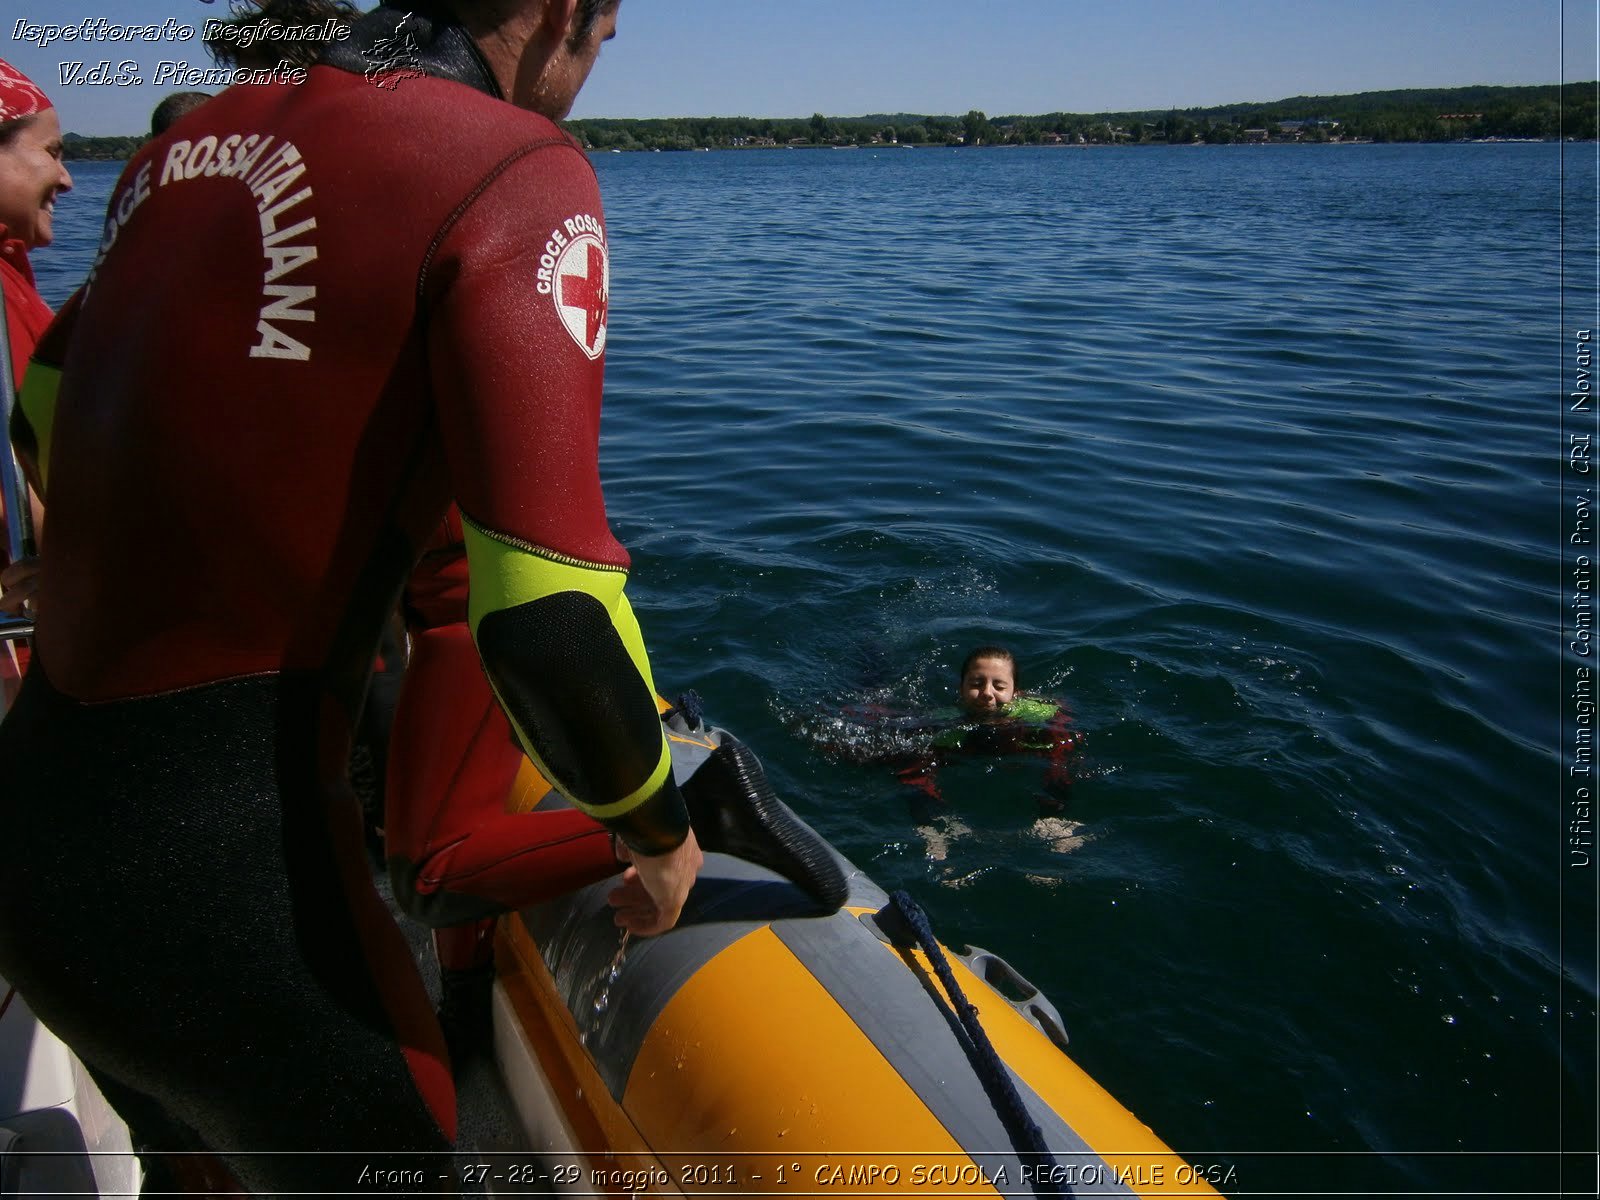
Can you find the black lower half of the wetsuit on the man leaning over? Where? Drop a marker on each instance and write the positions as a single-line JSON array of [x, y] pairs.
[[180, 906]]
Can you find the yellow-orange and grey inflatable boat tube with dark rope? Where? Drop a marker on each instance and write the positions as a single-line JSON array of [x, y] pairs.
[[783, 1042]]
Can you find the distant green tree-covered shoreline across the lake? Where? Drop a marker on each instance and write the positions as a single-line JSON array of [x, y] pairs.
[[1412, 116]]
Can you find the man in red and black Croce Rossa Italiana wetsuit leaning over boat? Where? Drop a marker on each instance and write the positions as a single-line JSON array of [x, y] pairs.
[[319, 316]]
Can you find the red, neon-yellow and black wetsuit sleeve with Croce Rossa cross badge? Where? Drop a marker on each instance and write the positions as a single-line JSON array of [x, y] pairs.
[[514, 298]]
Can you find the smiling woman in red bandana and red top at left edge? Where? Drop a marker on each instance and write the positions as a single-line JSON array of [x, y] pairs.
[[31, 178]]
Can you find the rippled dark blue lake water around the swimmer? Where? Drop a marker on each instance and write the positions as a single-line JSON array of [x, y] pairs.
[[1255, 457]]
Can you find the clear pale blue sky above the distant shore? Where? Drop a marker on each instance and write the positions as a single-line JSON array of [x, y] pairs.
[[791, 58]]
